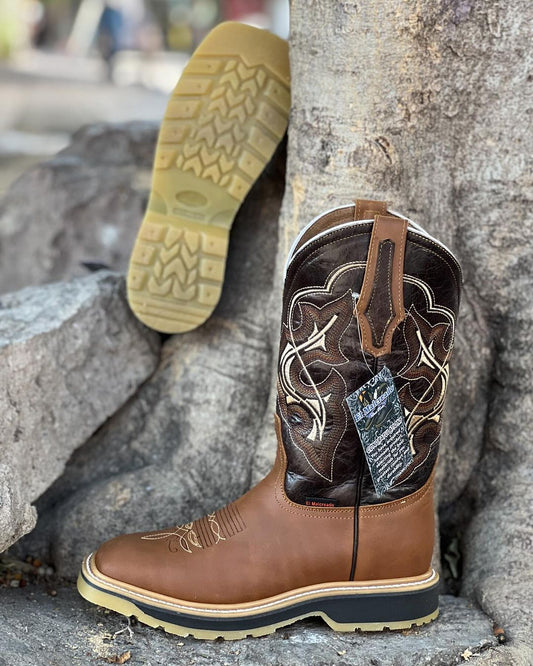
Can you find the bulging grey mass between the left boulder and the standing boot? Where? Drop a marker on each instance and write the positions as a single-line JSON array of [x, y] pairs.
[[184, 445]]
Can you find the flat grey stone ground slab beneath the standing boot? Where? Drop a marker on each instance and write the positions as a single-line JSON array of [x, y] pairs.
[[88, 636]]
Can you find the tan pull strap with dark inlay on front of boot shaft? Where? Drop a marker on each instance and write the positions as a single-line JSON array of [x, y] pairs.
[[380, 306]]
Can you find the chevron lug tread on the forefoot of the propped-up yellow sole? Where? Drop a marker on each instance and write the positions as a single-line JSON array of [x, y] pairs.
[[215, 138]]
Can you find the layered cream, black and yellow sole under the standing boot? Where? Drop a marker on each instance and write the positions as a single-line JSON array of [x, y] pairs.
[[344, 606]]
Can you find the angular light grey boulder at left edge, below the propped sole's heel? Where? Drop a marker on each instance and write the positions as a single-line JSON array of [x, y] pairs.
[[71, 355]]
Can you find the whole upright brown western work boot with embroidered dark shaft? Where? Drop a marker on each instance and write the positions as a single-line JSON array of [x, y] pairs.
[[342, 527]]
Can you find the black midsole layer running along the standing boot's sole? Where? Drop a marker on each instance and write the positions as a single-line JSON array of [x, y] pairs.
[[384, 607]]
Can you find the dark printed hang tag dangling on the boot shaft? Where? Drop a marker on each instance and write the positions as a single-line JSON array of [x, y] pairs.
[[378, 417]]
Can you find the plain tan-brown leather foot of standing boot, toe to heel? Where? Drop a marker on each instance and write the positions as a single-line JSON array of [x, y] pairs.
[[263, 544]]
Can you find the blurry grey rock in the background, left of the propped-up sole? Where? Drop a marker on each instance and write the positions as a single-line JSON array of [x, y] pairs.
[[83, 205]]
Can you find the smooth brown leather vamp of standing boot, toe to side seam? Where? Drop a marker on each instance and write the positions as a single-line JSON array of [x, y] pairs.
[[259, 546]]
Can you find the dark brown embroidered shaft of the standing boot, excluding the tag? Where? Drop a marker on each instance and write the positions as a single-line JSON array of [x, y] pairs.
[[364, 289]]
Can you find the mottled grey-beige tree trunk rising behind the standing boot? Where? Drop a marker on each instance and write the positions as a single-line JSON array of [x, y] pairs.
[[423, 104]]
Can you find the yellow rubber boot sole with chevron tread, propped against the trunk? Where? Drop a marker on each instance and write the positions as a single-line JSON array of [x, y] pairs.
[[224, 120]]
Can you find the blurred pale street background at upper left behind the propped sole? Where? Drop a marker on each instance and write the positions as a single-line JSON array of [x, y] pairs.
[[67, 63]]
